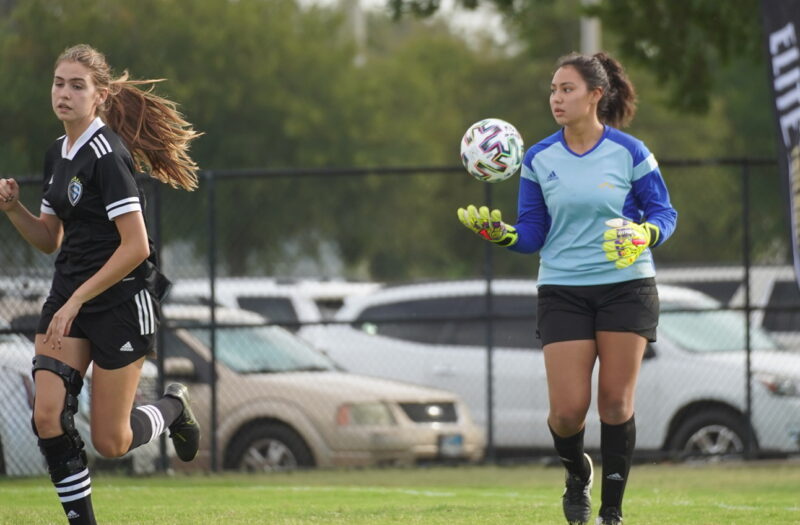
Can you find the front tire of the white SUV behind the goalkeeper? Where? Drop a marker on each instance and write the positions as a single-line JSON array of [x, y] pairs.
[[709, 435]]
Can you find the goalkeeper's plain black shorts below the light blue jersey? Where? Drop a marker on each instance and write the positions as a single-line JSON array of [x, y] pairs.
[[569, 313]]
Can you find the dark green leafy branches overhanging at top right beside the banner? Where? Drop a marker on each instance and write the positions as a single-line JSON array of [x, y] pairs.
[[683, 43]]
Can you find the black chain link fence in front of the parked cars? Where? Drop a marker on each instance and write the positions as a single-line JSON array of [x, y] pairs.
[[359, 324]]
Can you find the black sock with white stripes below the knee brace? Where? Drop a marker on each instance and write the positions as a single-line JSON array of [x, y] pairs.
[[75, 489]]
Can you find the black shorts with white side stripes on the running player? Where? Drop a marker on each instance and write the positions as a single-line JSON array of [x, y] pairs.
[[118, 336]]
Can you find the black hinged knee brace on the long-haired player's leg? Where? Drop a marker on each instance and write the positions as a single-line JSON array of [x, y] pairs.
[[64, 454]]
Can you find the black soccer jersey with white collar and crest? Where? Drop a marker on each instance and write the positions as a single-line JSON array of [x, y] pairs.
[[87, 188]]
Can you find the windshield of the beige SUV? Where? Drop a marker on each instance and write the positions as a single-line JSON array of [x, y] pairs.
[[260, 349]]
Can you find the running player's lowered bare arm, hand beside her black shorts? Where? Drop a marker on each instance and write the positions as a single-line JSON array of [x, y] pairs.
[[132, 251]]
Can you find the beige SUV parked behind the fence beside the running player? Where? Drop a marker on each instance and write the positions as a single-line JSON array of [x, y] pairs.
[[281, 404]]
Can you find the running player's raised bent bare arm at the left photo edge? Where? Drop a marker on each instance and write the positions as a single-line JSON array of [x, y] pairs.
[[44, 232]]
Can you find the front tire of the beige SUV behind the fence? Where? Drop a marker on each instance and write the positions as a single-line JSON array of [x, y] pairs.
[[268, 447]]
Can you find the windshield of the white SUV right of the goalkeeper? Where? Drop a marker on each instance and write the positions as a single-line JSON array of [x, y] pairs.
[[711, 331]]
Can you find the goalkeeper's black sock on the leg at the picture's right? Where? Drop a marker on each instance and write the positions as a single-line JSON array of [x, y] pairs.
[[616, 448]]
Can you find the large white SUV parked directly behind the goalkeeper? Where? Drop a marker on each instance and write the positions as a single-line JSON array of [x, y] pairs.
[[691, 394]]
